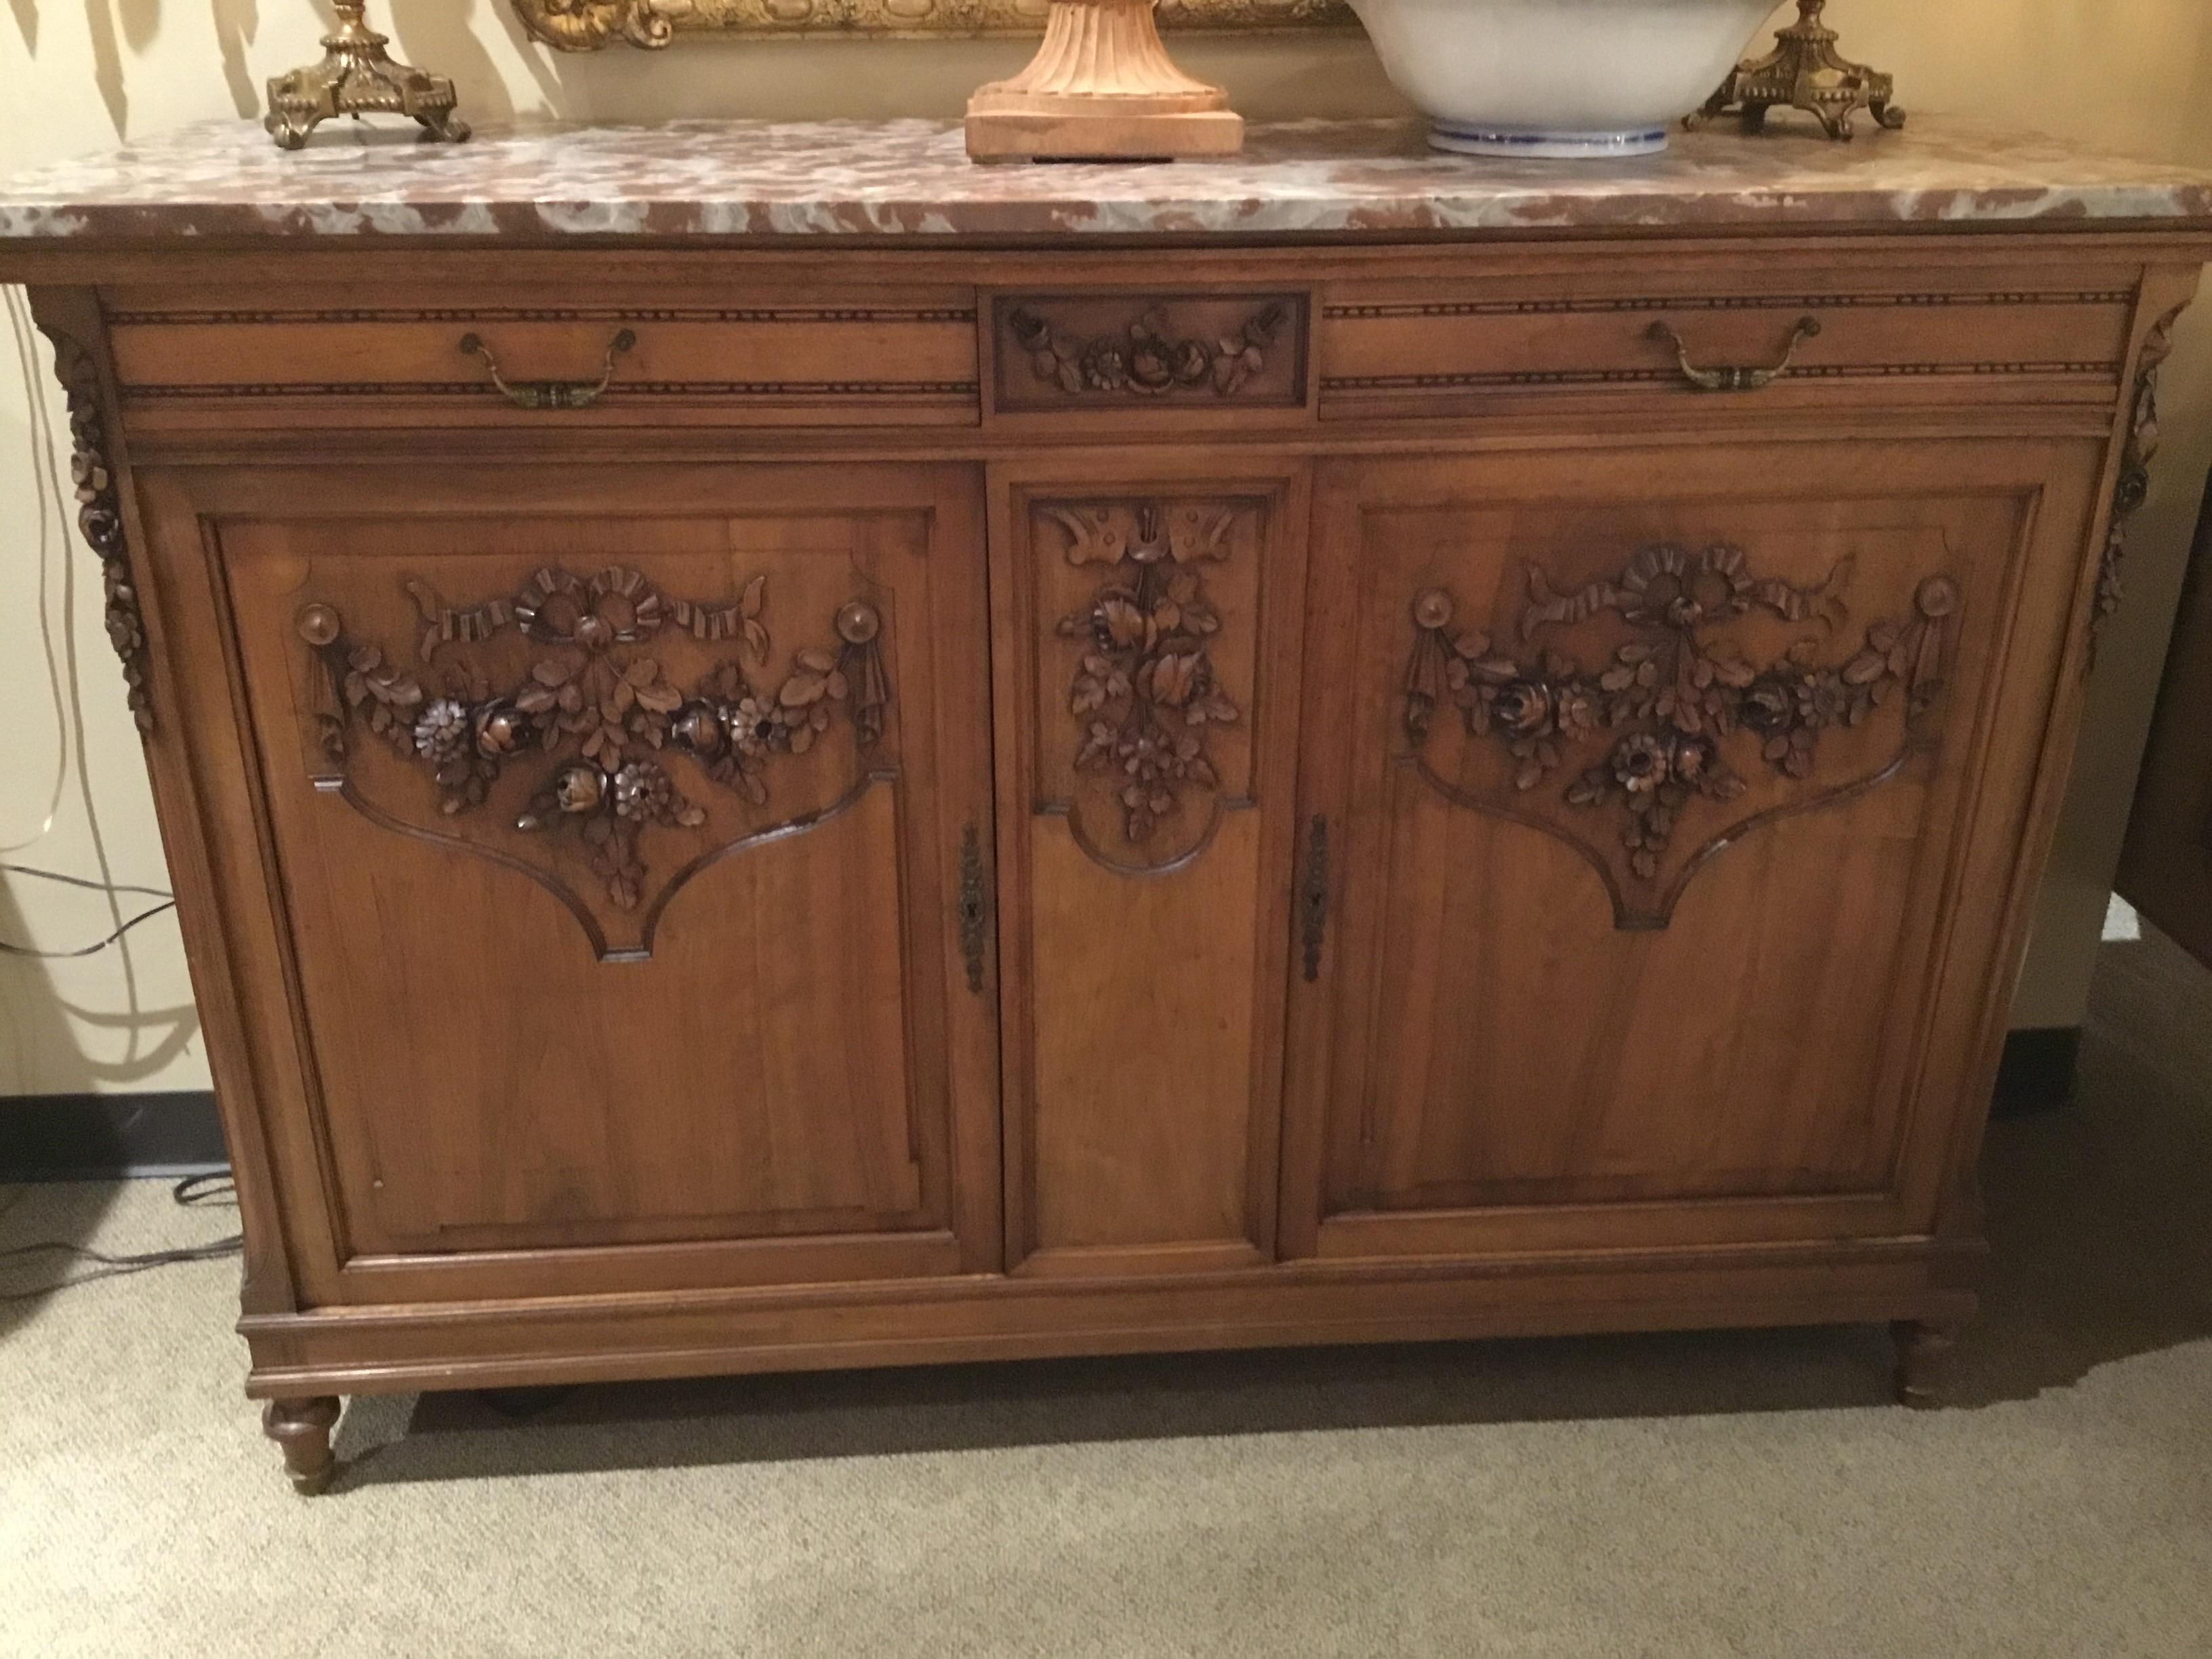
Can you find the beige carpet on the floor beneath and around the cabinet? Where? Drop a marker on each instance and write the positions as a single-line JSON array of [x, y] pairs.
[[1744, 1494]]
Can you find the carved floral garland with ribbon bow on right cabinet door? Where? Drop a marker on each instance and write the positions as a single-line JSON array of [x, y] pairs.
[[1634, 716]]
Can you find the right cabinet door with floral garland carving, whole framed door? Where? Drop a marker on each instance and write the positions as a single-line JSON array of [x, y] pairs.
[[1667, 826]]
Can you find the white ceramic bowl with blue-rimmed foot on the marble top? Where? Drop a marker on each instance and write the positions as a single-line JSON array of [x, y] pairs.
[[1572, 79]]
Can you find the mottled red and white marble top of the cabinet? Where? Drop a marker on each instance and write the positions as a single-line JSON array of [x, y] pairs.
[[915, 180]]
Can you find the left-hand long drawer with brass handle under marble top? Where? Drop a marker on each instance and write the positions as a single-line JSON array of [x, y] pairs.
[[766, 359]]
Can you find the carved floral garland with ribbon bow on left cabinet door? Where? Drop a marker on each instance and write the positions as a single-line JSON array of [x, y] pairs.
[[612, 742]]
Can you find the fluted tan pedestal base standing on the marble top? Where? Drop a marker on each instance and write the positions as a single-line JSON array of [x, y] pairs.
[[1100, 90]]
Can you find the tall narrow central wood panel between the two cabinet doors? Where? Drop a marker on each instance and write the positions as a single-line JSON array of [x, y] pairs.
[[1145, 804]]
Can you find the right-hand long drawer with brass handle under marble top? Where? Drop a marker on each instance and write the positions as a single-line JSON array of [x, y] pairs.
[[1788, 340]]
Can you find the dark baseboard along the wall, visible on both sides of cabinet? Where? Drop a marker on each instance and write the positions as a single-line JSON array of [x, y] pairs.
[[98, 1138]]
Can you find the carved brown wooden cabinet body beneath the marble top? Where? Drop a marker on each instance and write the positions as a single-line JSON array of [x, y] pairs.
[[943, 804]]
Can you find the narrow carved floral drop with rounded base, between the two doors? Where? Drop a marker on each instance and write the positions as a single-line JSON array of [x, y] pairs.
[[1156, 609]]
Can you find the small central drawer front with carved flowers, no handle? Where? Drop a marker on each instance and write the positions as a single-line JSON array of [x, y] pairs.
[[1118, 357]]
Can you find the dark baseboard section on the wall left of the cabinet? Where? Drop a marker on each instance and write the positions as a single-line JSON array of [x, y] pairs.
[[98, 1138]]
